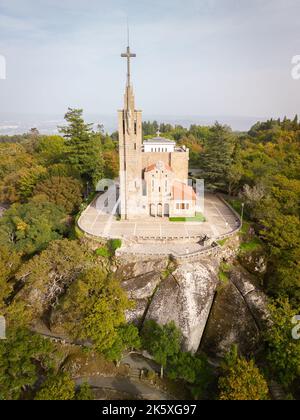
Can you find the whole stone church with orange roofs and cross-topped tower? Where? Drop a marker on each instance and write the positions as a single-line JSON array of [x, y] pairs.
[[153, 173]]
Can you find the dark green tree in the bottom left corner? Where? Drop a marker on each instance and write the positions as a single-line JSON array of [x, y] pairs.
[[22, 355]]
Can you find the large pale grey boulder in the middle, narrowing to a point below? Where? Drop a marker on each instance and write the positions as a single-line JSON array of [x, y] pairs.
[[185, 297]]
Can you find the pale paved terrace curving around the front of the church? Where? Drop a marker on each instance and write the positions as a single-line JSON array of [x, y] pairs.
[[97, 220]]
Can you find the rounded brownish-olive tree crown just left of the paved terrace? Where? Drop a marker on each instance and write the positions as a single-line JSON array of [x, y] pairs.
[[65, 192]]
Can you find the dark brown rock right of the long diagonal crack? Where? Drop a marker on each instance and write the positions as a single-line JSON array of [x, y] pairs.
[[237, 316]]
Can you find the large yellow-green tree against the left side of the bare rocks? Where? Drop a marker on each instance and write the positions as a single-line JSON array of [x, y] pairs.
[[94, 309]]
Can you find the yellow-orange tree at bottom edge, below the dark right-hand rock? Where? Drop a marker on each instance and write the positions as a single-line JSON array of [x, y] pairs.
[[241, 379]]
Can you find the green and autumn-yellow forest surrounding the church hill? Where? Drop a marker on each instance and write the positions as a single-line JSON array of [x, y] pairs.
[[49, 275]]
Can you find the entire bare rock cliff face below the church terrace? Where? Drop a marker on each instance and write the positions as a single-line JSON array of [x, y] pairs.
[[209, 314]]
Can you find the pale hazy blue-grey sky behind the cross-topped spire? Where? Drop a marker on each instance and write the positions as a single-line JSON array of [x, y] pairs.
[[194, 57]]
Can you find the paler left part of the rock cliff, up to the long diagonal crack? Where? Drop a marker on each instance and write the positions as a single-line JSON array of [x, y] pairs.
[[184, 297]]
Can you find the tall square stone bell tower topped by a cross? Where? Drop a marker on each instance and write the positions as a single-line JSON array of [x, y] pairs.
[[130, 151]]
